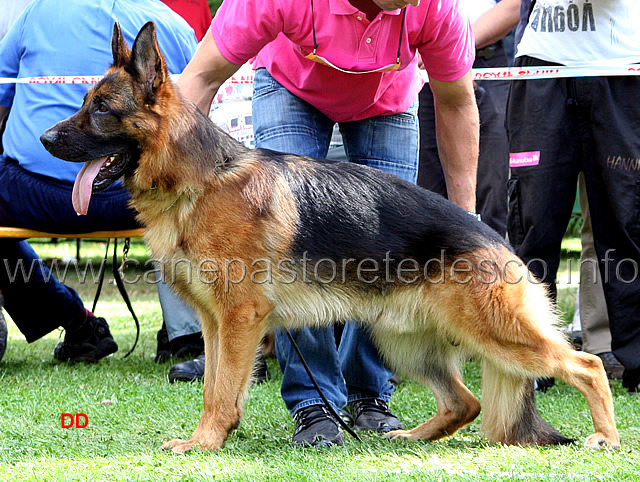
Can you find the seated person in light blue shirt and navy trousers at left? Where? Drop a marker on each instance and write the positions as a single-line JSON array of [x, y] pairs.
[[35, 187]]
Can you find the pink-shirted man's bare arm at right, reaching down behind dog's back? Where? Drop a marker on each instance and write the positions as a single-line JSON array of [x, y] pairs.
[[458, 133]]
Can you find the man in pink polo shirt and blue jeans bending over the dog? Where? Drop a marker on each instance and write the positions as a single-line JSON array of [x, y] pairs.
[[351, 62]]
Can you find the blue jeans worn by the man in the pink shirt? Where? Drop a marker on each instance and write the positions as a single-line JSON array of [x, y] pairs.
[[283, 122]]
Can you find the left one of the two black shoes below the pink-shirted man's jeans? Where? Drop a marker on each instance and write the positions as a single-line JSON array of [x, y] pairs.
[[316, 427]]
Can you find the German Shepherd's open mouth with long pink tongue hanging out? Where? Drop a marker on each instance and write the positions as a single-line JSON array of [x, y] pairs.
[[96, 175]]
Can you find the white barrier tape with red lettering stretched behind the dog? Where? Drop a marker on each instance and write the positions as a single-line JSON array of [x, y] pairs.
[[496, 73]]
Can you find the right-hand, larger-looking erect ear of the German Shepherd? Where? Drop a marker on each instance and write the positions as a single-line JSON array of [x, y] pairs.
[[147, 64]]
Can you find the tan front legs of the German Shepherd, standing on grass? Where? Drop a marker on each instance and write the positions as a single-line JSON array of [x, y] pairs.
[[226, 382]]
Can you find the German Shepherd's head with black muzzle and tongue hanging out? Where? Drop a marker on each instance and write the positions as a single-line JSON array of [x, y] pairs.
[[119, 119]]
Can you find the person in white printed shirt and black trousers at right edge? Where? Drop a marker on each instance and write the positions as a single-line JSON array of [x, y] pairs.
[[585, 124]]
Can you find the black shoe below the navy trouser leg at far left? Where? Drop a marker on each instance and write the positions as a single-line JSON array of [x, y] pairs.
[[89, 343]]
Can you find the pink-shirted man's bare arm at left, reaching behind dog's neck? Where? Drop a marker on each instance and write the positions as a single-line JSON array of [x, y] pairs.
[[204, 74]]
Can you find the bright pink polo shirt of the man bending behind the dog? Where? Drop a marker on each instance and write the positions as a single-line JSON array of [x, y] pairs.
[[278, 33]]
